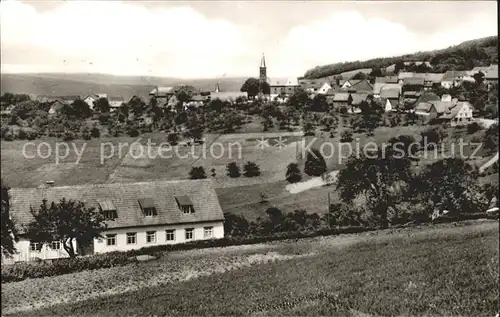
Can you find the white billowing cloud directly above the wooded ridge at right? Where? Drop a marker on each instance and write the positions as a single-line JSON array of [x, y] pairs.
[[349, 36]]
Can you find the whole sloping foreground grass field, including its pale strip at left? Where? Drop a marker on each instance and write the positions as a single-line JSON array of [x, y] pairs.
[[439, 270]]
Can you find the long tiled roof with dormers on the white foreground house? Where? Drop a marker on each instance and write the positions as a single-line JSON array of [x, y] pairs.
[[125, 196]]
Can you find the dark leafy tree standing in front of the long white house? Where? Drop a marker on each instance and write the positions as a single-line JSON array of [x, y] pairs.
[[67, 221]]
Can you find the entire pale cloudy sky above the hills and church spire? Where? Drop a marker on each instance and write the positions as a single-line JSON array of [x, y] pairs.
[[203, 39]]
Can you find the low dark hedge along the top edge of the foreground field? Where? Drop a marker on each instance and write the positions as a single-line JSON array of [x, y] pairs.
[[21, 271]]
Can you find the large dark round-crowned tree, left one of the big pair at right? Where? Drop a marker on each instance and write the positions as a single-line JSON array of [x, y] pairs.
[[380, 179]]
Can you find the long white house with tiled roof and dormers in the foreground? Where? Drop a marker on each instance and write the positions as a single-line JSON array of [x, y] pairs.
[[139, 214]]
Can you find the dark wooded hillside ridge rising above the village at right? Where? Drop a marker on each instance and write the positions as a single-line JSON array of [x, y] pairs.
[[478, 52]]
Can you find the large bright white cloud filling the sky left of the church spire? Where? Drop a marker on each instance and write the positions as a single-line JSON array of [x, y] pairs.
[[121, 37]]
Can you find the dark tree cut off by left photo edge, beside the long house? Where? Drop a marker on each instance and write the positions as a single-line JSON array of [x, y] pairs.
[[8, 229]]
